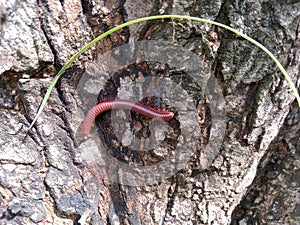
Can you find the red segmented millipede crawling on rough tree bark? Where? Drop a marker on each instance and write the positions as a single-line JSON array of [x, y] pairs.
[[122, 104]]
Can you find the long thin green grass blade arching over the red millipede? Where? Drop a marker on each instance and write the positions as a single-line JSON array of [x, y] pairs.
[[74, 57]]
